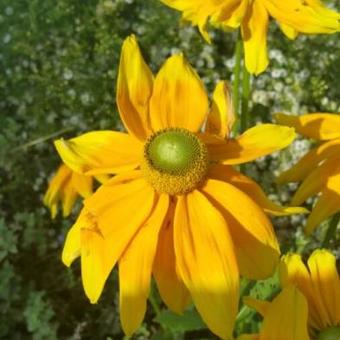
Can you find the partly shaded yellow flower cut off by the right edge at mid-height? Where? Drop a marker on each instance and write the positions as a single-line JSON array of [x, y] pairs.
[[319, 169]]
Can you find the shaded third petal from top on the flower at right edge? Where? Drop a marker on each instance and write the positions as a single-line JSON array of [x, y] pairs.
[[316, 181]]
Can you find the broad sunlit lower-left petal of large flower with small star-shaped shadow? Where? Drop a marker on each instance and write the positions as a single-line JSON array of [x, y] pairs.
[[116, 220]]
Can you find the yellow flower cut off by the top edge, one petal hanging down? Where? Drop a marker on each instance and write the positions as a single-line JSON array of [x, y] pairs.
[[293, 16]]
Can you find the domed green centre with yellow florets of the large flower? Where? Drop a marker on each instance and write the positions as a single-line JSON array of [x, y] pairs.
[[175, 161]]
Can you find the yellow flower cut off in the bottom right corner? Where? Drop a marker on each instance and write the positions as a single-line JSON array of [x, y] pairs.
[[308, 306]]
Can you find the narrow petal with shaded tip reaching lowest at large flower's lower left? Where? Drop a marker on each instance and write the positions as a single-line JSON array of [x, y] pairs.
[[135, 267]]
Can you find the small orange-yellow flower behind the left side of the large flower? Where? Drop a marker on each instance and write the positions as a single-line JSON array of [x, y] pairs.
[[65, 186]]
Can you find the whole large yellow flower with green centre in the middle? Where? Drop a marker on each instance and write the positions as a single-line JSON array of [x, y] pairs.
[[173, 210]]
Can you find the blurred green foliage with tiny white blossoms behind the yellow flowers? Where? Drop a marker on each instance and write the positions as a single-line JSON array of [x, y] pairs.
[[58, 62]]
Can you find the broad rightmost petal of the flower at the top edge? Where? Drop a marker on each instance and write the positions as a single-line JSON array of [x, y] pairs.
[[303, 17]]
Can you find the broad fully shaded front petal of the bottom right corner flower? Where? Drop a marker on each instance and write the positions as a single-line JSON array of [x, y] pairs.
[[286, 317]]
